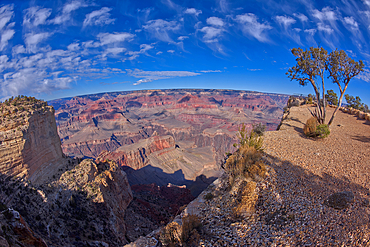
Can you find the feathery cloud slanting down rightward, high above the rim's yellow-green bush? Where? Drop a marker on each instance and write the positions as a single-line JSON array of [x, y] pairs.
[[251, 27]]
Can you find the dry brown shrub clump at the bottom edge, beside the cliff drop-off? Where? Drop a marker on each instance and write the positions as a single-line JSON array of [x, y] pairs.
[[175, 234]]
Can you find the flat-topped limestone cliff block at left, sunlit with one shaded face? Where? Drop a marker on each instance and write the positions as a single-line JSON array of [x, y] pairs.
[[29, 143]]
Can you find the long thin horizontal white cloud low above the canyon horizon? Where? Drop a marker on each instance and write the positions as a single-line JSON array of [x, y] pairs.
[[148, 76]]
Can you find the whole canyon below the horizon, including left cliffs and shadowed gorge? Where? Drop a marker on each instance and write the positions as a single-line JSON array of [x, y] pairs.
[[138, 156]]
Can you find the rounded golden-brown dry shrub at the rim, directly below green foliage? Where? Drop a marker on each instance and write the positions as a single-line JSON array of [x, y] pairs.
[[247, 162]]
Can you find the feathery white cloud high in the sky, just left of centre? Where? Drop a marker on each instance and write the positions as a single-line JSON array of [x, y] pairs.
[[162, 29]]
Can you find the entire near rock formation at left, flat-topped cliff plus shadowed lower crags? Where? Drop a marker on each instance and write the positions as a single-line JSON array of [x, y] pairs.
[[64, 202]]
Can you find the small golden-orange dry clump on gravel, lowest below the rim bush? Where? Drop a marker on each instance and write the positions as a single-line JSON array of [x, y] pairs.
[[247, 202]]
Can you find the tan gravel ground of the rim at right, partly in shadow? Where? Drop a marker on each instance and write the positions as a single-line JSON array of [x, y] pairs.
[[292, 209]]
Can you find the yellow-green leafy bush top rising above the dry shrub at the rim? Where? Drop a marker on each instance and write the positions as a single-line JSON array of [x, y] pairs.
[[250, 139]]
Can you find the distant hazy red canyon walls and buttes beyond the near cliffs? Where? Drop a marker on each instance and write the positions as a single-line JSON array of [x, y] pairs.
[[179, 135]]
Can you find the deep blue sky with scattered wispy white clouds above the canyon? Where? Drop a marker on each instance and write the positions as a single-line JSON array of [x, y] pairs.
[[54, 49]]
